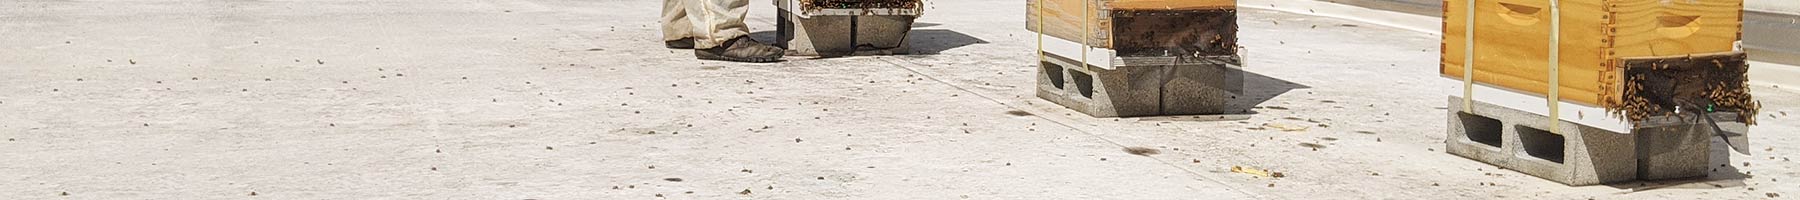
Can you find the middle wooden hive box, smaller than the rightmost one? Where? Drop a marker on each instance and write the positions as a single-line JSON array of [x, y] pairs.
[[1138, 28]]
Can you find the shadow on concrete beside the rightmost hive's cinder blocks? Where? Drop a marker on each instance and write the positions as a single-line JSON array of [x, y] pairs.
[[1722, 174]]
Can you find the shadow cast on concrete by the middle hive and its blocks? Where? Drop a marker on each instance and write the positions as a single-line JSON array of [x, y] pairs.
[[1257, 89]]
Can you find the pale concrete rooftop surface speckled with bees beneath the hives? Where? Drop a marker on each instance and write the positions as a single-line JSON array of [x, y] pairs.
[[552, 100]]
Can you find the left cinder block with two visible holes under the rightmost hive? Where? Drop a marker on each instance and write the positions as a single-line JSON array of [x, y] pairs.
[[1518, 141]]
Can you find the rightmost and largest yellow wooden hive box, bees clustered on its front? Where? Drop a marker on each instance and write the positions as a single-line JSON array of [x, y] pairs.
[[1601, 41]]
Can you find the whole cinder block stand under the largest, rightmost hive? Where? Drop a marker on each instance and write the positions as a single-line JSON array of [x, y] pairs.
[[1583, 156]]
